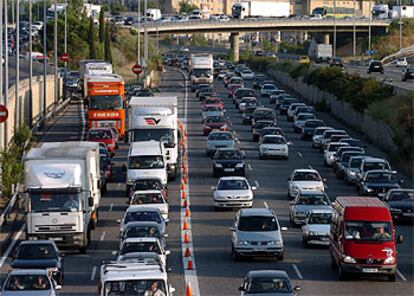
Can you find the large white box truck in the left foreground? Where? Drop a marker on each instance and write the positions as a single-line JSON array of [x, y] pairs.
[[62, 194]]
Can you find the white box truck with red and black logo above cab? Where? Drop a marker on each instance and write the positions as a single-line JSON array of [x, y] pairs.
[[156, 118]]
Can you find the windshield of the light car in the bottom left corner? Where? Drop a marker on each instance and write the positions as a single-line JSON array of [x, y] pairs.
[[27, 283]]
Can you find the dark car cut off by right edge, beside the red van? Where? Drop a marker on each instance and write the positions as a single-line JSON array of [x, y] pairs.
[[401, 204]]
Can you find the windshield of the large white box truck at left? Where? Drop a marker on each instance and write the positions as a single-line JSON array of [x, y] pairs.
[[54, 202]]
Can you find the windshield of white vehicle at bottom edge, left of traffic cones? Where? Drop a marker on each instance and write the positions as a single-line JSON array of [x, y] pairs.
[[134, 288]]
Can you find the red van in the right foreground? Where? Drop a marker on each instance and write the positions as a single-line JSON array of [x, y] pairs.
[[362, 239]]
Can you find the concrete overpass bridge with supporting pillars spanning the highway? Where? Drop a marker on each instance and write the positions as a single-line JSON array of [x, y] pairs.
[[235, 26]]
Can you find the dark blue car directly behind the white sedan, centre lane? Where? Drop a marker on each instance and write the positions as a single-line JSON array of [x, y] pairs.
[[228, 161]]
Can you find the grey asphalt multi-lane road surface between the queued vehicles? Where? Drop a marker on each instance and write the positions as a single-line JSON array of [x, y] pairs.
[[217, 273]]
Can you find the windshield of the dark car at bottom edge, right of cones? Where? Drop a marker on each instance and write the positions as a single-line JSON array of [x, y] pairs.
[[269, 285]]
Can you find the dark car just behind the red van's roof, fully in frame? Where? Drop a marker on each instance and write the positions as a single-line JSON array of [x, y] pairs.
[[377, 183]]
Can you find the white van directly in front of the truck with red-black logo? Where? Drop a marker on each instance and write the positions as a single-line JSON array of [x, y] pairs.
[[146, 160]]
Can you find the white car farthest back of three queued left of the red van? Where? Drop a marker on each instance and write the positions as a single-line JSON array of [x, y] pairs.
[[304, 180]]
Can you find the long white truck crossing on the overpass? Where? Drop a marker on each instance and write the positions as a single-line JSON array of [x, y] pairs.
[[256, 9]]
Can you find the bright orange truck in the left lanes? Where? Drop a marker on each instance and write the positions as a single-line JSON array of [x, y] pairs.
[[106, 98]]
